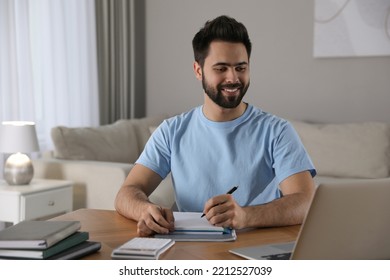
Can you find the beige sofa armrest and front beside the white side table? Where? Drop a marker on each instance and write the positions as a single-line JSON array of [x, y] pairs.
[[95, 183]]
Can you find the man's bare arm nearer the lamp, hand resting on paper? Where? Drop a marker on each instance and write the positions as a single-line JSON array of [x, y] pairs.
[[133, 203]]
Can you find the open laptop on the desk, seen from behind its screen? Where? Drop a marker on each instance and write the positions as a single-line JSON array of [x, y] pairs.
[[348, 220]]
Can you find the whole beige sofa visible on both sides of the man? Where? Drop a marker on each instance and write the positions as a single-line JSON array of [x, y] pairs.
[[98, 160]]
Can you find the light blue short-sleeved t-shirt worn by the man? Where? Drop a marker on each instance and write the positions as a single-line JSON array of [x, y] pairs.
[[256, 152]]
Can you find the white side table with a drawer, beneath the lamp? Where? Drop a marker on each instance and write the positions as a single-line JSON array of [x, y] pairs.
[[41, 198]]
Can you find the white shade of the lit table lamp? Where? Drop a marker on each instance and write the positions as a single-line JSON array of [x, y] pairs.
[[18, 136]]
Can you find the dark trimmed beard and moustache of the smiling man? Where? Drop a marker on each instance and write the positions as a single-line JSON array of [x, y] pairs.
[[216, 95]]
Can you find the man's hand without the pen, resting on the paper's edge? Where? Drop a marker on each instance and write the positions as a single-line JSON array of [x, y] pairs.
[[155, 219]]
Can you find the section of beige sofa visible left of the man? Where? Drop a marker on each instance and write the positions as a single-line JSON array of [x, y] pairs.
[[98, 159]]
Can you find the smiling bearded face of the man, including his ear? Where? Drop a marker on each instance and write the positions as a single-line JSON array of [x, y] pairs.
[[225, 74]]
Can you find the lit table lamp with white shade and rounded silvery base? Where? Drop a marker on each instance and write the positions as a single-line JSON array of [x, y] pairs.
[[17, 138]]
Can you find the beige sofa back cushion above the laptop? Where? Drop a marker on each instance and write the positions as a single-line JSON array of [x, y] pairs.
[[354, 150]]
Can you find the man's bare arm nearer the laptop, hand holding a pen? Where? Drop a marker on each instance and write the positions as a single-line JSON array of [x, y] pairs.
[[290, 209]]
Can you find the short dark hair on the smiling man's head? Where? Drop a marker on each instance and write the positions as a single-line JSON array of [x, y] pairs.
[[223, 28]]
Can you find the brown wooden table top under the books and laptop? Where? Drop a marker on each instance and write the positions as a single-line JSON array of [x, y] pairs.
[[112, 230]]
